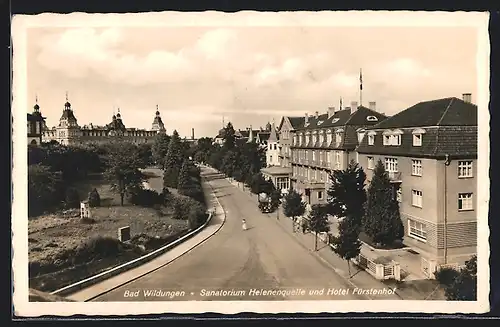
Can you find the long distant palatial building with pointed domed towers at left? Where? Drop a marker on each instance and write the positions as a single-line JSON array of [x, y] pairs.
[[68, 132]]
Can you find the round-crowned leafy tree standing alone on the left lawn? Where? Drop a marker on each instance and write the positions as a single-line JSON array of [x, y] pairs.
[[123, 169]]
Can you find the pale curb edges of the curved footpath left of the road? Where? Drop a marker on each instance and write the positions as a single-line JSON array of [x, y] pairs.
[[141, 260]]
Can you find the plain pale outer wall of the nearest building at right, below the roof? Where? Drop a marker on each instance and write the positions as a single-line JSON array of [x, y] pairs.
[[461, 226]]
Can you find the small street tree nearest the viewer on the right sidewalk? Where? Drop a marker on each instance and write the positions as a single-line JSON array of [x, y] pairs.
[[347, 245]]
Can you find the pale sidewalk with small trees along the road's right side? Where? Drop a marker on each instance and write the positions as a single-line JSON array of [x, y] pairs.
[[359, 278]]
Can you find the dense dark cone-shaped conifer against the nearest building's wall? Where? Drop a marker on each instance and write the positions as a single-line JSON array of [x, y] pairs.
[[382, 221]]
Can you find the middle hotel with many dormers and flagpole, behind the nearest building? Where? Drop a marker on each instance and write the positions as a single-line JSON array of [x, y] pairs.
[[323, 143]]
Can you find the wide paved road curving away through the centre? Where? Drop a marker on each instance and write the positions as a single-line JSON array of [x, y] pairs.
[[240, 263]]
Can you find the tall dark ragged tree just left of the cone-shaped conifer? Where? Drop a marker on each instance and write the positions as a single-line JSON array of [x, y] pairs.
[[347, 195]]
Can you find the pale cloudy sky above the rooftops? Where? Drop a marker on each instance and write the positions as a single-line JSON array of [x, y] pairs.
[[202, 76]]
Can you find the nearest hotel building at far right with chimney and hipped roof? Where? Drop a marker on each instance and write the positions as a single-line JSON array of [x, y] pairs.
[[430, 152]]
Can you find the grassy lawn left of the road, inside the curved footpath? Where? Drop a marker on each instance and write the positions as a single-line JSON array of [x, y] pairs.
[[52, 235]]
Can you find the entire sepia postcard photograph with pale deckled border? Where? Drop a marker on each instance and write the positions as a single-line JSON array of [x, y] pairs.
[[250, 162]]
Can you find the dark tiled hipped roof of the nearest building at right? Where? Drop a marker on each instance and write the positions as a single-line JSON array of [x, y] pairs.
[[449, 126]]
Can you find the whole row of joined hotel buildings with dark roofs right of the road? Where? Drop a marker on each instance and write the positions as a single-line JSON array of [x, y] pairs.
[[429, 151]]
